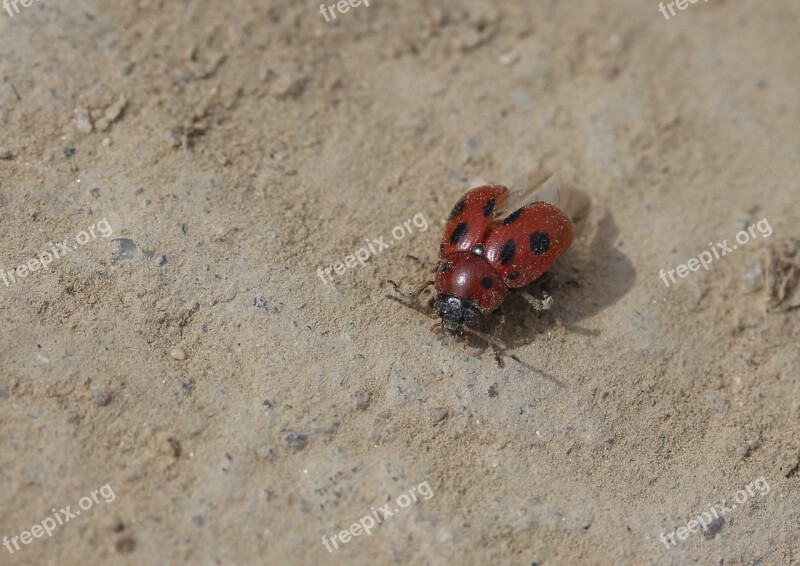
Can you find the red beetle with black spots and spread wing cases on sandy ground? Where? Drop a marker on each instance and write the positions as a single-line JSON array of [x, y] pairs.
[[495, 242]]
